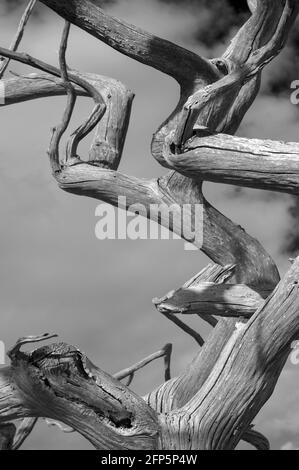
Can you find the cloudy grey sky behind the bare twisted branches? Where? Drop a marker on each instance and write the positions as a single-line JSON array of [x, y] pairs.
[[56, 277]]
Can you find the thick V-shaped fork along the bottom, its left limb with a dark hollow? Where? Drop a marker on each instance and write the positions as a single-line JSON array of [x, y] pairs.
[[60, 382]]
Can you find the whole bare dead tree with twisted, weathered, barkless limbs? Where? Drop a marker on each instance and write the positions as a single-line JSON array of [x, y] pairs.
[[213, 403]]
